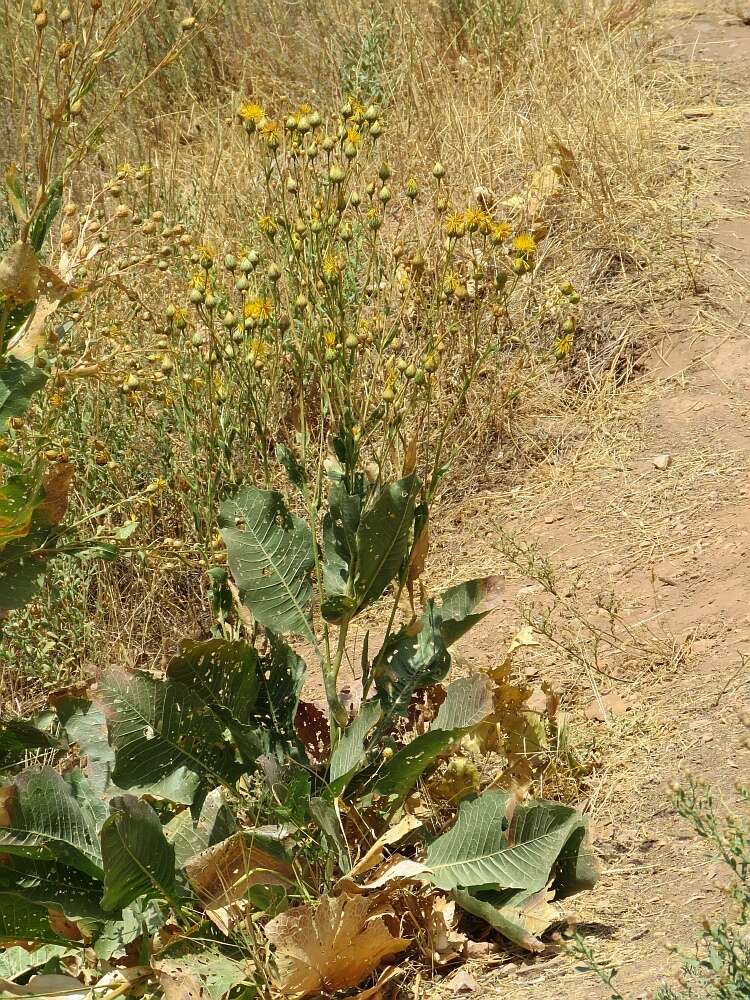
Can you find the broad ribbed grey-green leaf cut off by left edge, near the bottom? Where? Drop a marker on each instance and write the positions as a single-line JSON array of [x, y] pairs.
[[48, 824]]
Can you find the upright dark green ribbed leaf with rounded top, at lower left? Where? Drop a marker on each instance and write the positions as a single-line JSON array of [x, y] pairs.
[[138, 859]]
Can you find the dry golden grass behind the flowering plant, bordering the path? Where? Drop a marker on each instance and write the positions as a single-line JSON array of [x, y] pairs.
[[572, 87]]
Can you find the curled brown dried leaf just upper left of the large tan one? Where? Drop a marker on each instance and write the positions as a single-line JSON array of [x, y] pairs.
[[222, 874]]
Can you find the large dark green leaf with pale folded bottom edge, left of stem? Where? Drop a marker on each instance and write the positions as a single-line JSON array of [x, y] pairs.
[[166, 739]]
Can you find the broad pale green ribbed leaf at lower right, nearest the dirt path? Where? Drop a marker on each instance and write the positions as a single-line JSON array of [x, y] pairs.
[[483, 849]]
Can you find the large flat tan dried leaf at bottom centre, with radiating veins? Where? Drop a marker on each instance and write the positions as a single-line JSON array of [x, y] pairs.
[[329, 947]]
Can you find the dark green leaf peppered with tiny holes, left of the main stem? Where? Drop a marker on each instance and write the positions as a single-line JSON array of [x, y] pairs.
[[223, 673]]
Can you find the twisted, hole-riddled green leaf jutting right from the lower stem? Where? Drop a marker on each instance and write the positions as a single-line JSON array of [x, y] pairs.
[[415, 657]]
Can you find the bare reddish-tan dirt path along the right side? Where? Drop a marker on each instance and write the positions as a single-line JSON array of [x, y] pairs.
[[674, 544]]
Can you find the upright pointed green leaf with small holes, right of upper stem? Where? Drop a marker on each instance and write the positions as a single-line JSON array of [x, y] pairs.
[[382, 540]]
